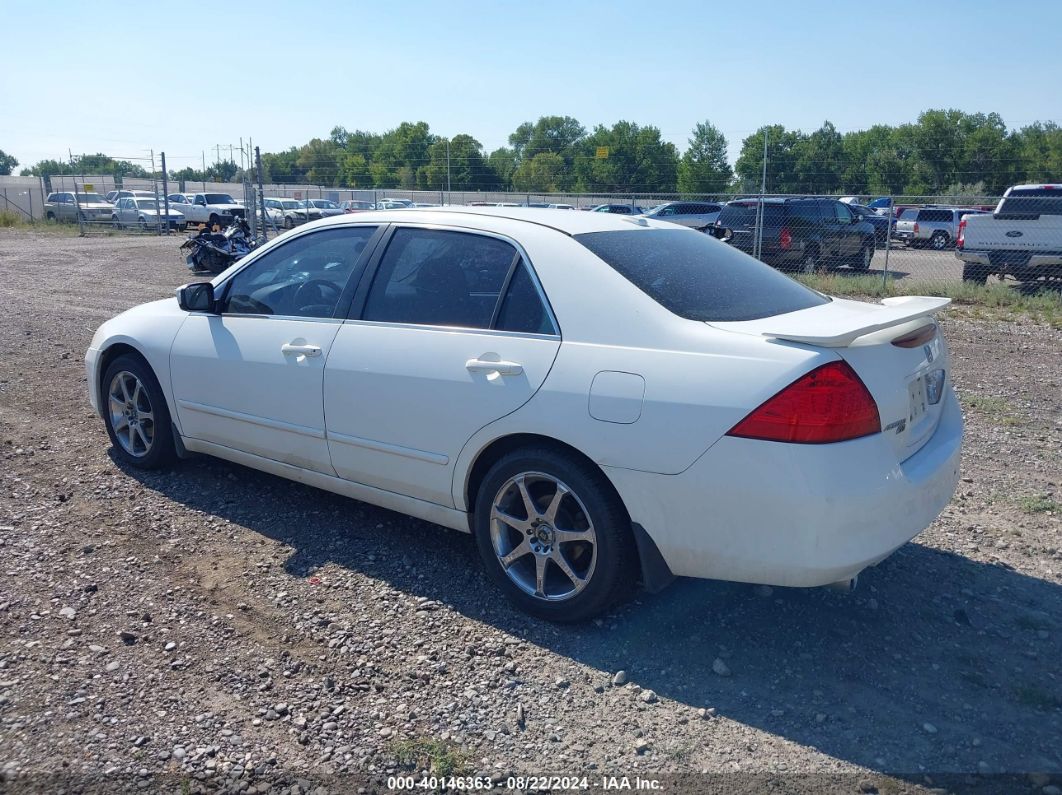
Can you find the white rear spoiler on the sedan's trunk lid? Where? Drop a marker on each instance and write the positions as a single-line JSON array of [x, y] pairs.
[[841, 323]]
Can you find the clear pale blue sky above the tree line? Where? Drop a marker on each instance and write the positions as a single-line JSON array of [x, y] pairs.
[[125, 79]]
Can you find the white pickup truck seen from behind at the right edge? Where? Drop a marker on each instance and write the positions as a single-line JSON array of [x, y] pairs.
[[1022, 238]]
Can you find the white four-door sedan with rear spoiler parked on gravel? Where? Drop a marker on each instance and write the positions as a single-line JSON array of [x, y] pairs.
[[598, 400]]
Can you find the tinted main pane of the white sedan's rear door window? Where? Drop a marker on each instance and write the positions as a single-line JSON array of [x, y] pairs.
[[440, 279]]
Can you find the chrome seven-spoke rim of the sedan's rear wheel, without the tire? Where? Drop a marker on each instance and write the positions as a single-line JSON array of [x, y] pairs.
[[543, 537]]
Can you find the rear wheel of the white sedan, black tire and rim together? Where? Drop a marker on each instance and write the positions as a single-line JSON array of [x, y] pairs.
[[554, 535]]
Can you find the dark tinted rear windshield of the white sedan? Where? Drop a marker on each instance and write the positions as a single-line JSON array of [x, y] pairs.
[[698, 278]]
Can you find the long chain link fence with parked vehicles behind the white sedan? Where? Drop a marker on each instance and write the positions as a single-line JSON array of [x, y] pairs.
[[912, 240]]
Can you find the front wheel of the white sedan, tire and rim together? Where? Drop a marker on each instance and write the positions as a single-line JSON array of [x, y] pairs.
[[136, 416]]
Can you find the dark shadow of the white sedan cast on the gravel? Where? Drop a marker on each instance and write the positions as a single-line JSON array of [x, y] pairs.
[[938, 664]]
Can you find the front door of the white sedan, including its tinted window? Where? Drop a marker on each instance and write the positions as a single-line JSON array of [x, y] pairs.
[[250, 377]]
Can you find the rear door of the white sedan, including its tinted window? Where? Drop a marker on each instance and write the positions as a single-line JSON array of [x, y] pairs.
[[452, 334]]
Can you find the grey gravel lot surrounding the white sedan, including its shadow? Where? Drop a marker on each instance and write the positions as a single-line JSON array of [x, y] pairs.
[[216, 628]]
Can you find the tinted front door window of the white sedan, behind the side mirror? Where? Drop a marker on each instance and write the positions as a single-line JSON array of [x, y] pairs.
[[303, 279]]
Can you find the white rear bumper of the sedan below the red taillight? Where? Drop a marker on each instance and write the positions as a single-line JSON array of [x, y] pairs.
[[795, 515]]
